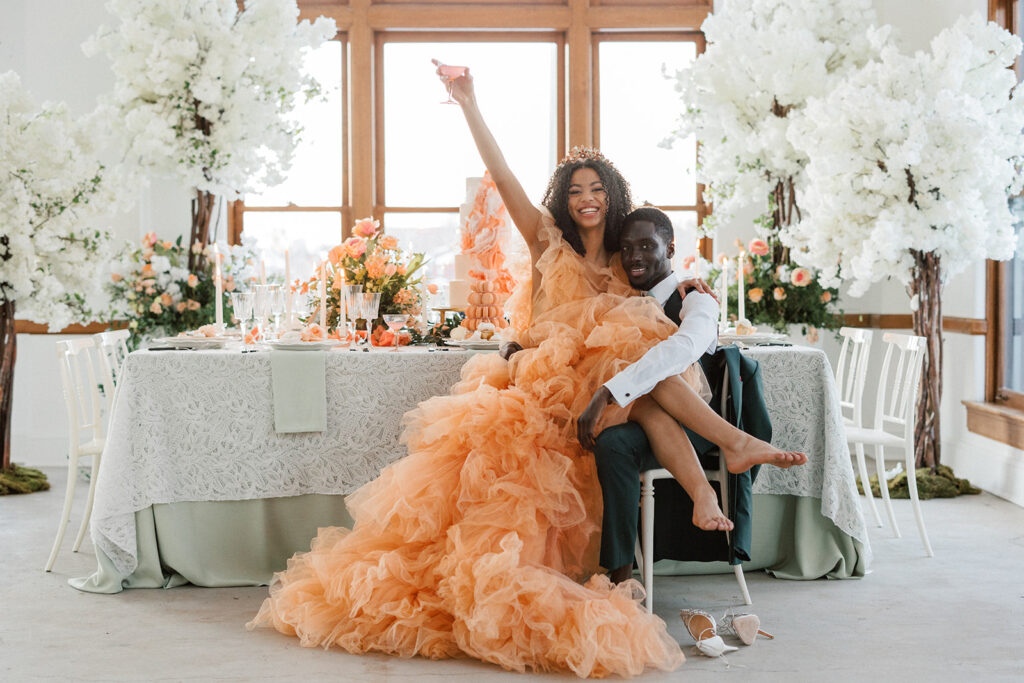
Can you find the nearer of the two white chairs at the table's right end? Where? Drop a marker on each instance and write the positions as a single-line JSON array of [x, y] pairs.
[[895, 411]]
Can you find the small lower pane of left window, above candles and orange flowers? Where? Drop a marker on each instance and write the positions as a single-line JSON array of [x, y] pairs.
[[308, 235]]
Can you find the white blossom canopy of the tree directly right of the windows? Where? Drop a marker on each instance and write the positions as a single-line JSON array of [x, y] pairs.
[[763, 61]]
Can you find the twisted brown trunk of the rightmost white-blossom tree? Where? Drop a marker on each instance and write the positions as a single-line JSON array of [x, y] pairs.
[[927, 285]]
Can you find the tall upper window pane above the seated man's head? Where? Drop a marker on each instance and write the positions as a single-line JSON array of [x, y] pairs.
[[638, 109]]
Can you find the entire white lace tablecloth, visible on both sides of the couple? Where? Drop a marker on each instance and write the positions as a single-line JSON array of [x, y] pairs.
[[199, 426]]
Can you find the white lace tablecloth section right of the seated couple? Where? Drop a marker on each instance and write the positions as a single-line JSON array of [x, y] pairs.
[[800, 393]]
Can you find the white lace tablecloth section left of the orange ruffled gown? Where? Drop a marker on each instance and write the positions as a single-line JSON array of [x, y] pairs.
[[199, 426]]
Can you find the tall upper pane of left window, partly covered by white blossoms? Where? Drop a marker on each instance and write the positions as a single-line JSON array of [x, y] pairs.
[[316, 176]]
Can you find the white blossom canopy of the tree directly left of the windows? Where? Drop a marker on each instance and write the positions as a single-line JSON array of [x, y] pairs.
[[204, 90]]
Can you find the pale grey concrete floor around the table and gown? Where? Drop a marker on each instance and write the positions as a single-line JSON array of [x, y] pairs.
[[957, 617]]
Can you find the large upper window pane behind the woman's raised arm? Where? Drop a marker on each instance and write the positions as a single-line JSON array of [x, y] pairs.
[[429, 150]]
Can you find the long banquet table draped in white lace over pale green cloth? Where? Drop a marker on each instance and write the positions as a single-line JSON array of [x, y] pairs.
[[195, 485]]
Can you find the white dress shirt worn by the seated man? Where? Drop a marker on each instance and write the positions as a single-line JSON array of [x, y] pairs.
[[698, 334]]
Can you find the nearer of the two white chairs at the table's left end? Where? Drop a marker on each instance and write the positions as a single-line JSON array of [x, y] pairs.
[[86, 429]]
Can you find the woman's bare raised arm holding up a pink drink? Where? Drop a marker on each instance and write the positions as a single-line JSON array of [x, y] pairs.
[[526, 217]]
